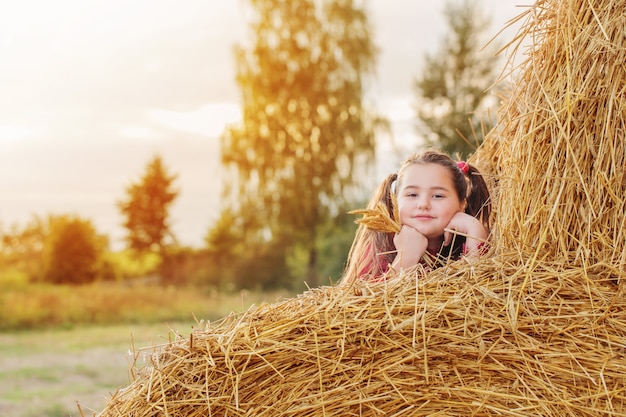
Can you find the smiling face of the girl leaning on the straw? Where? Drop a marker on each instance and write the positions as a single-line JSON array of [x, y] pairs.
[[427, 200]]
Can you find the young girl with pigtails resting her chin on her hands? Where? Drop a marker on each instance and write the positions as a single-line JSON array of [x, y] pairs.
[[444, 211]]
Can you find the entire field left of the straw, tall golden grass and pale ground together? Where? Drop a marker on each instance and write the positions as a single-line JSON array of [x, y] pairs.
[[72, 345]]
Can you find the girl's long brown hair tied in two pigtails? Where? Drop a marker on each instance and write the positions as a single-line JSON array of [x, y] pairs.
[[373, 251]]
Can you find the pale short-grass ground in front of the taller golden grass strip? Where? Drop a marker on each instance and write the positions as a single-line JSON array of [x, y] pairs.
[[51, 373]]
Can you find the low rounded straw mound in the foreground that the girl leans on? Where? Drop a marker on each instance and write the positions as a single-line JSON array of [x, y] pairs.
[[466, 340]]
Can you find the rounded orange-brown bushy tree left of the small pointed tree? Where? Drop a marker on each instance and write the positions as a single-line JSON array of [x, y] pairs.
[[73, 251]]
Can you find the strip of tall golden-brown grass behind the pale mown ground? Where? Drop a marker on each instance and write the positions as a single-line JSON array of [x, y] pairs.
[[43, 305]]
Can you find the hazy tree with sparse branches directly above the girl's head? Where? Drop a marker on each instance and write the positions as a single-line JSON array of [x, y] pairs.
[[452, 89]]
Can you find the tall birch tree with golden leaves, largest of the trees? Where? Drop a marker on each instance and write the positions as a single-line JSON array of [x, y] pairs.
[[306, 138]]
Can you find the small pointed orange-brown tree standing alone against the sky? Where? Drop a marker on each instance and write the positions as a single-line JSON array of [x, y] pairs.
[[146, 209]]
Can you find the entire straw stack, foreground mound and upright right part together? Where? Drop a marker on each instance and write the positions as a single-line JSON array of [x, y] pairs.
[[537, 328]]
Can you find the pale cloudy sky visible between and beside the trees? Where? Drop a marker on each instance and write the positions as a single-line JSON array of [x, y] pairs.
[[91, 90]]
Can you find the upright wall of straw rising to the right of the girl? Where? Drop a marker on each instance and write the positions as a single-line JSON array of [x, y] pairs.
[[560, 148]]
